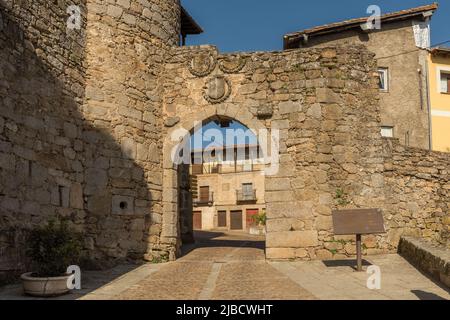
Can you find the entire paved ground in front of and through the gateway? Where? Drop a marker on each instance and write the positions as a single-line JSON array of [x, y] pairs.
[[232, 266]]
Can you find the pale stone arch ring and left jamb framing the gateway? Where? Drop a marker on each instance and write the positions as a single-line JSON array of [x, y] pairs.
[[170, 236]]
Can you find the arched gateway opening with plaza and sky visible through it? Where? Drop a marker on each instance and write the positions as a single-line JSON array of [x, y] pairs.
[[221, 191]]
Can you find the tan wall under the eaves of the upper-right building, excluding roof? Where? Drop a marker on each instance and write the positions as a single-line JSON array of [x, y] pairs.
[[404, 106]]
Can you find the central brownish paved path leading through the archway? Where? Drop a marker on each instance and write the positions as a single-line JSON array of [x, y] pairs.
[[230, 266]]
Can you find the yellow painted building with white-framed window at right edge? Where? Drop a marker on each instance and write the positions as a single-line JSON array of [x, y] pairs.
[[439, 86]]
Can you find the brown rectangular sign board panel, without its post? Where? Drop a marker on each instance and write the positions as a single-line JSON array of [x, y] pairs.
[[358, 221]]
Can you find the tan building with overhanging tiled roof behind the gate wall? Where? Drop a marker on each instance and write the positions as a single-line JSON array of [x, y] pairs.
[[401, 51]]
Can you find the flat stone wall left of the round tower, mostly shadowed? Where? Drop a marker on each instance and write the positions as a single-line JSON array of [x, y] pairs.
[[41, 90]]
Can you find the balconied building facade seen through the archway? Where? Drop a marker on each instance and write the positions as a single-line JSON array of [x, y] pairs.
[[227, 188]]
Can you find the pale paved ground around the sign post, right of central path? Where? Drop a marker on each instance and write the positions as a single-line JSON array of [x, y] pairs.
[[337, 280]]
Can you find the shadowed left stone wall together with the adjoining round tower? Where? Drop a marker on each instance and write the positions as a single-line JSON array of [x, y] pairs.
[[80, 123]]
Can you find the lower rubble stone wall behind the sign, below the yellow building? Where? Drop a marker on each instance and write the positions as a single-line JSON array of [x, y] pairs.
[[417, 193]]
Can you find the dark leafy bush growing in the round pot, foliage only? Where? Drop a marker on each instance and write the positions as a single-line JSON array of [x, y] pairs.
[[53, 248]]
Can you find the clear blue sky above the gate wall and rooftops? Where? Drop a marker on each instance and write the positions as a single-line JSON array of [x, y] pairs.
[[259, 25]]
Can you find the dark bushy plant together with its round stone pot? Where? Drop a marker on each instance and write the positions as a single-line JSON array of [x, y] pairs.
[[52, 249]]
